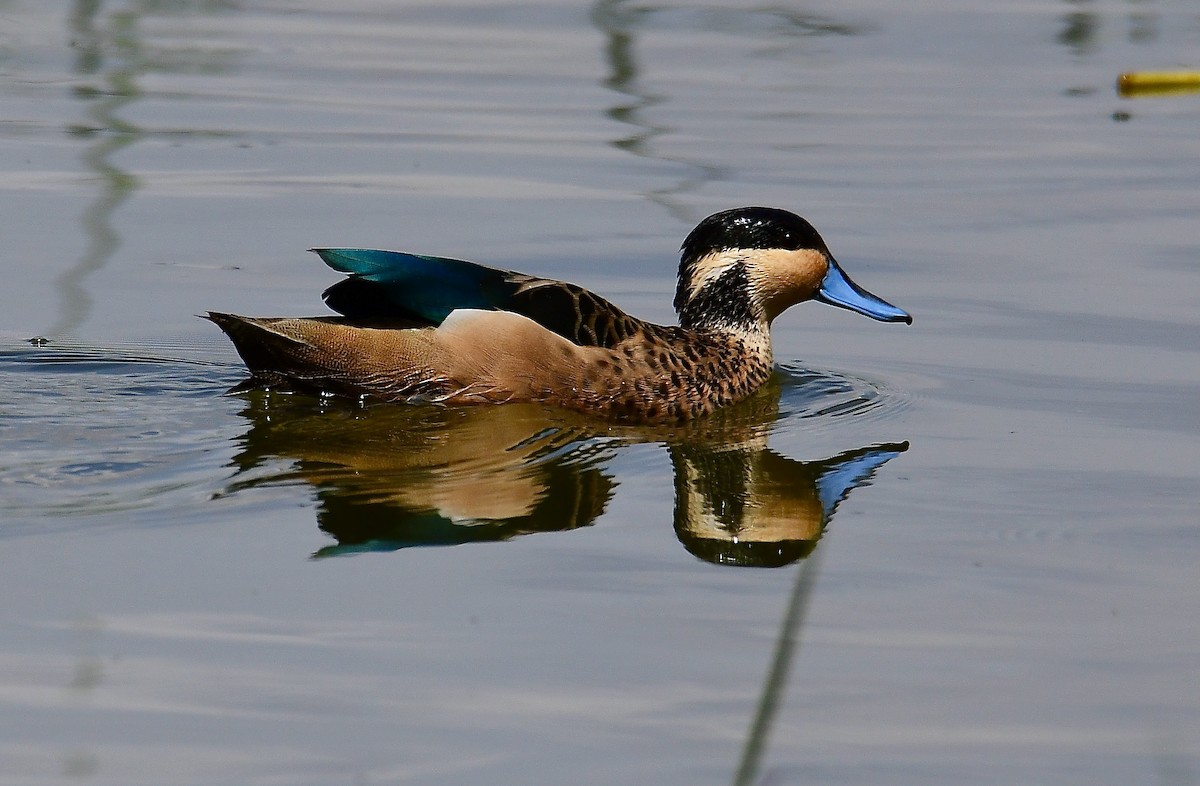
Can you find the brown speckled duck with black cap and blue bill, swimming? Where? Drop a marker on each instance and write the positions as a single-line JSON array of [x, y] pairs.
[[430, 329]]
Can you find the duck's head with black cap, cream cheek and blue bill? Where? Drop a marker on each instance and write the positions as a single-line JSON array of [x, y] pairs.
[[745, 267]]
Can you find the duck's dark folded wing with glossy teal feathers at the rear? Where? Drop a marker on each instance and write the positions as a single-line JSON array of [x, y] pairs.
[[391, 286]]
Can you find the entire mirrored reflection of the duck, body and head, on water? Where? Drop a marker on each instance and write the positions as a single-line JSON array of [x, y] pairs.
[[388, 478]]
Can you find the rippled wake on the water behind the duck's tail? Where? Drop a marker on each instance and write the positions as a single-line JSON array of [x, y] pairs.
[[76, 445]]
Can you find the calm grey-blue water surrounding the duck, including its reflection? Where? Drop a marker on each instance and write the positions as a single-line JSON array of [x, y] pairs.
[[202, 589]]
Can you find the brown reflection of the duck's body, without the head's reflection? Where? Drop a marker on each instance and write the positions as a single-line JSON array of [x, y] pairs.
[[389, 478]]
